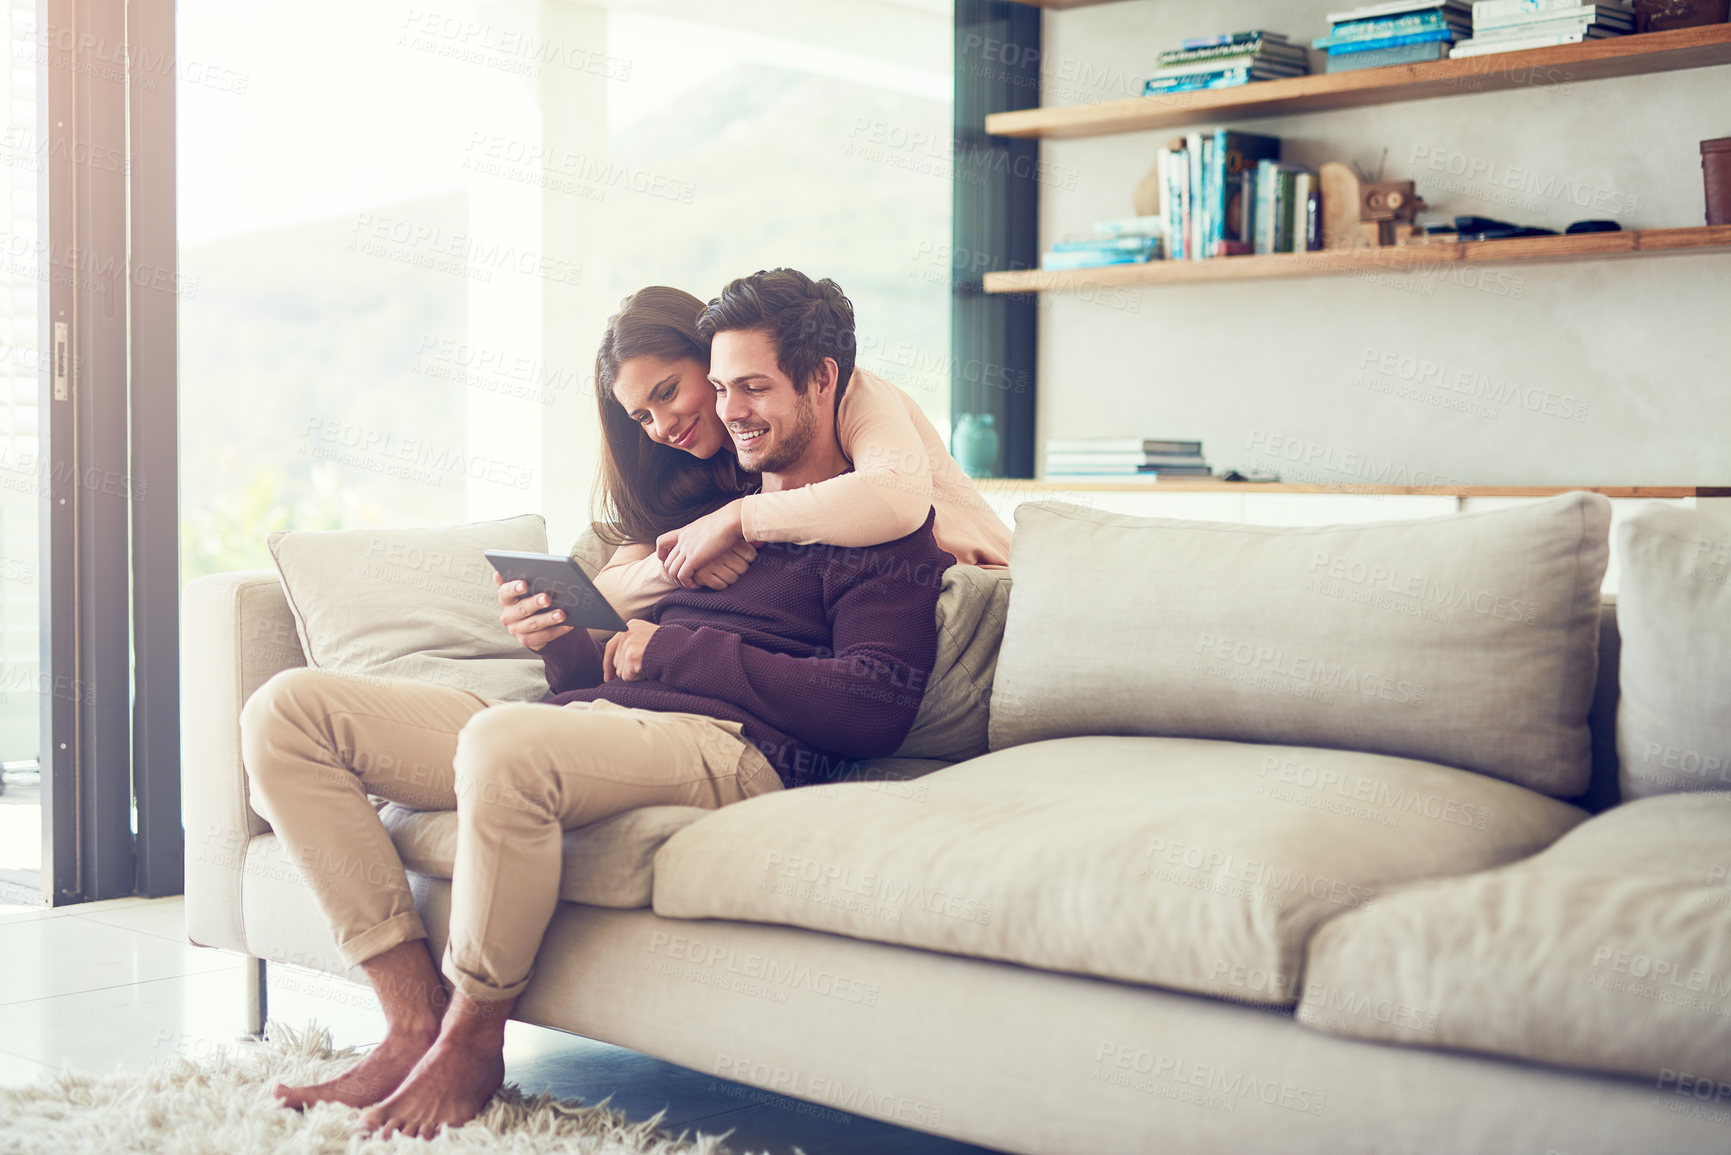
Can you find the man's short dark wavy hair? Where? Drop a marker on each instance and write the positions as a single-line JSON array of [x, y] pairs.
[[806, 319]]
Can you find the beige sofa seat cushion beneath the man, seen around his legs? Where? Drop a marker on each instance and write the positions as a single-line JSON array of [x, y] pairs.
[[607, 863]]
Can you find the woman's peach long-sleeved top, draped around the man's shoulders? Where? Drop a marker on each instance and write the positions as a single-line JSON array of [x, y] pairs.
[[901, 472]]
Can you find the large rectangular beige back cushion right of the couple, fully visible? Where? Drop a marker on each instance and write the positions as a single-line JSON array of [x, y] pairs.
[[1469, 640]]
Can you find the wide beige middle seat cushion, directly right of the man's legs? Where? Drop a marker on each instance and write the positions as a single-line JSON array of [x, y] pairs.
[[1181, 863]]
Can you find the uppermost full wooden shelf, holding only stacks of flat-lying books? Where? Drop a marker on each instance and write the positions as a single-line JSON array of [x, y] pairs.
[[1538, 68]]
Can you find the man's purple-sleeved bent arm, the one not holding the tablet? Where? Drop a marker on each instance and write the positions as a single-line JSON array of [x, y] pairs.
[[863, 699]]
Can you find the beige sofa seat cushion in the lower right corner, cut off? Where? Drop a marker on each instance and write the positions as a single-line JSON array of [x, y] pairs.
[[1609, 952]]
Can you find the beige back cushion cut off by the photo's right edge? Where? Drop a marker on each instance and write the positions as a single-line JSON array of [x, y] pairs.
[[1675, 614]]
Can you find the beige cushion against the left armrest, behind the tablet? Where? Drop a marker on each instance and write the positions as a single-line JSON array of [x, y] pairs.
[[411, 603]]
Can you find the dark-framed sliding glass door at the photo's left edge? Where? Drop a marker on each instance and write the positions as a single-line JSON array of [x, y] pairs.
[[89, 294]]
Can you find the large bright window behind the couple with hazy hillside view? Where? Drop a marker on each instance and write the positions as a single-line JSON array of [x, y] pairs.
[[404, 229]]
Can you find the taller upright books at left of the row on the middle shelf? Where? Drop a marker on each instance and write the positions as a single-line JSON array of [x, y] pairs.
[[1209, 188]]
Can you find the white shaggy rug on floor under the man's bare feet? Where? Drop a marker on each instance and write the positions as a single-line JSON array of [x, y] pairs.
[[226, 1107]]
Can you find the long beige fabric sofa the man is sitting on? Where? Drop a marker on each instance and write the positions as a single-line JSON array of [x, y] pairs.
[[1209, 839]]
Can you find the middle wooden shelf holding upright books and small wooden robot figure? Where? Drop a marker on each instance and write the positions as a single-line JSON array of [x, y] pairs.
[[1394, 259]]
